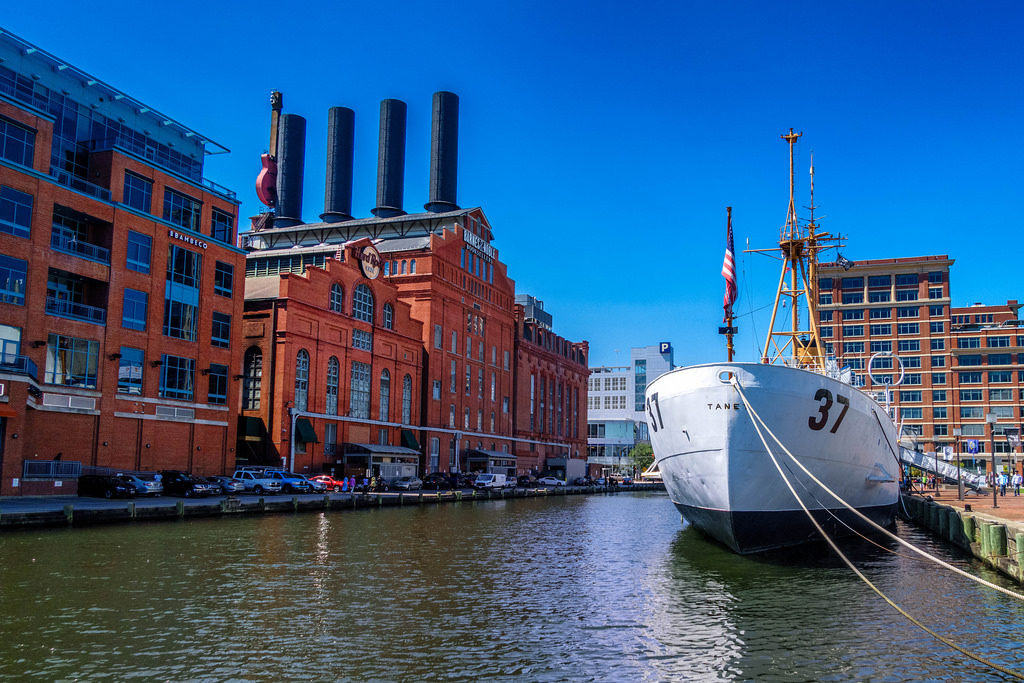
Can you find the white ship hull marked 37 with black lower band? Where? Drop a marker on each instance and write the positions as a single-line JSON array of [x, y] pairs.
[[717, 471]]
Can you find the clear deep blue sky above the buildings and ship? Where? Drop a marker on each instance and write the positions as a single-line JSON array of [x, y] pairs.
[[605, 142]]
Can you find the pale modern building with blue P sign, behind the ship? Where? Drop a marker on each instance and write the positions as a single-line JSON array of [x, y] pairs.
[[616, 420]]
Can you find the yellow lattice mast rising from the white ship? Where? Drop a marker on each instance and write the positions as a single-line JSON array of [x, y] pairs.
[[797, 347]]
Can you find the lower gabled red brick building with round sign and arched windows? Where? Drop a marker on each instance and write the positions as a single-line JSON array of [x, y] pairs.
[[343, 349]]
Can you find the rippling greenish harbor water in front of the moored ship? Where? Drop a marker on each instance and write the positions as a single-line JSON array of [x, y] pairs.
[[606, 588]]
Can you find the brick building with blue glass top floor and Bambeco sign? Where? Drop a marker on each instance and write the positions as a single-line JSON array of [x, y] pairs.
[[121, 287]]
